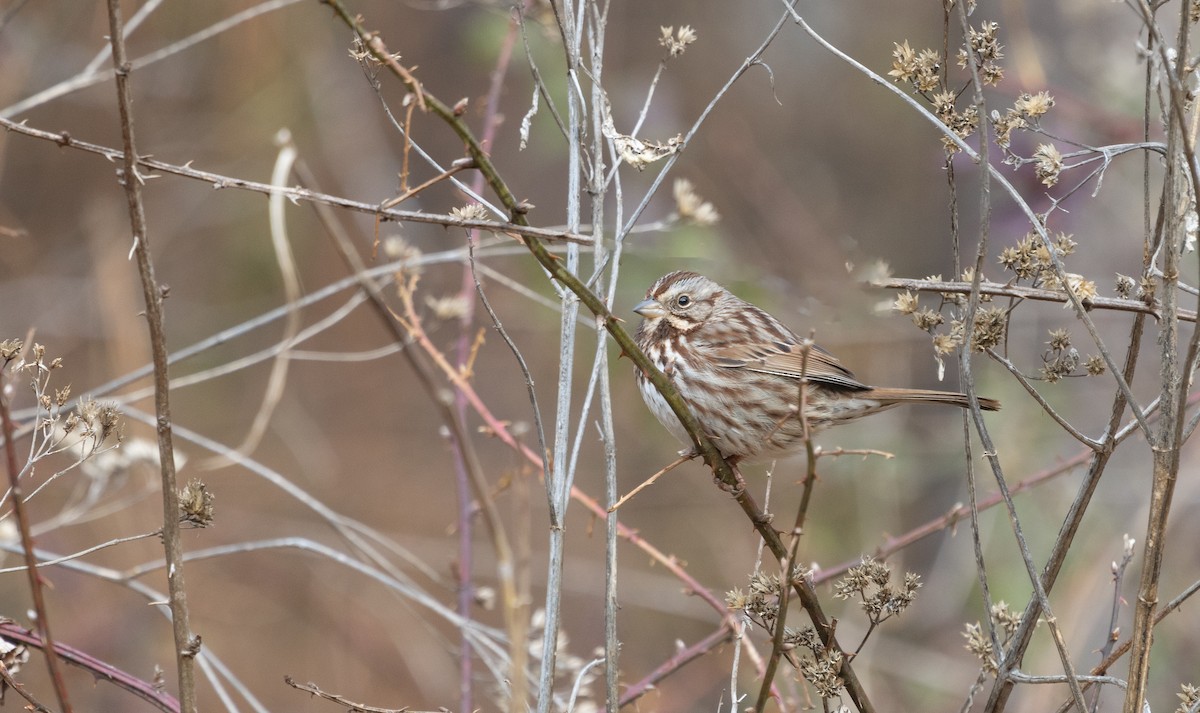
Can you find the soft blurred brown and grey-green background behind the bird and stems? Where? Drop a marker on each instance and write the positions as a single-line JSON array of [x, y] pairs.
[[815, 172]]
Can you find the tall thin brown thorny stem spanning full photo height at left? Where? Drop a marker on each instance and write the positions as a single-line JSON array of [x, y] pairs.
[[187, 644]]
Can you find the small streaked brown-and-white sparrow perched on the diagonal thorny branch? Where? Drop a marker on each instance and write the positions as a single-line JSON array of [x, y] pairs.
[[740, 370]]
